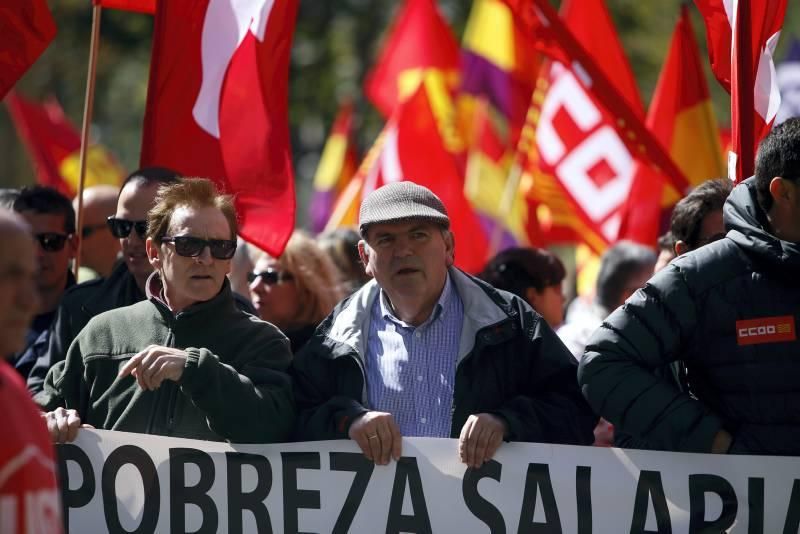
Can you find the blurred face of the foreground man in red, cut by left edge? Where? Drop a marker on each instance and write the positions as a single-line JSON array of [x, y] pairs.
[[19, 298]]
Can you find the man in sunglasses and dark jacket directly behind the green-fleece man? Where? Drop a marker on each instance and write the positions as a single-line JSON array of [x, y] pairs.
[[125, 285]]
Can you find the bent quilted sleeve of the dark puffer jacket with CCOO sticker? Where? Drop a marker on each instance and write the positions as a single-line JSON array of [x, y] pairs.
[[618, 374]]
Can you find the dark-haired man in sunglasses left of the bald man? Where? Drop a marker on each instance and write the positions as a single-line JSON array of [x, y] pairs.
[[52, 220]]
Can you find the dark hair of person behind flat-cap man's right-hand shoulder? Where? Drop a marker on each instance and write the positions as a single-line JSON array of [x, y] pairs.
[[516, 269]]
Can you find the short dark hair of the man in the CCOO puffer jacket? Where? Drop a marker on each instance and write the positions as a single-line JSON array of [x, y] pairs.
[[778, 155]]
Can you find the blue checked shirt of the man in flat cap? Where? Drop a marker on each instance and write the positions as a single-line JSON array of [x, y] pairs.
[[411, 370]]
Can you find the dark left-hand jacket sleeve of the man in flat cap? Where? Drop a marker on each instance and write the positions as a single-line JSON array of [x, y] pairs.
[[326, 392]]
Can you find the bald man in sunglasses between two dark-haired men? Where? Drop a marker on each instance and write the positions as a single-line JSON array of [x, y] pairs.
[[99, 247]]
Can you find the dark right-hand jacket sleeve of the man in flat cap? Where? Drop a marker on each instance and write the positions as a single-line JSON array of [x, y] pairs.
[[553, 411]]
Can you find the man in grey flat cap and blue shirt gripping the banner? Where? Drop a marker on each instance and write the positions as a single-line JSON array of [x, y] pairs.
[[427, 350]]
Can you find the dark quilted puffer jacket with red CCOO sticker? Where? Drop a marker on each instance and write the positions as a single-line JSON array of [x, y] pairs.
[[701, 309]]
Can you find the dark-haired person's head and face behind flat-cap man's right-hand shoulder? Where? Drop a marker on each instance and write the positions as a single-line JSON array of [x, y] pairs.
[[535, 275]]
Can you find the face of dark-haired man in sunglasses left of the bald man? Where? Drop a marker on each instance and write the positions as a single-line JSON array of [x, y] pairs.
[[52, 265]]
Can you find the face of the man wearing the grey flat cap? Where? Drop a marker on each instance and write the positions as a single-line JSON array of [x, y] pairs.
[[408, 259]]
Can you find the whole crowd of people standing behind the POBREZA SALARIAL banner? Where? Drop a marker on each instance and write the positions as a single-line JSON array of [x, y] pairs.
[[184, 330]]
